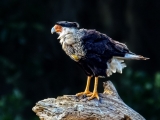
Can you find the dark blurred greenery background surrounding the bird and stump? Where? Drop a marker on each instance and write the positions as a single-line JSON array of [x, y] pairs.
[[34, 67]]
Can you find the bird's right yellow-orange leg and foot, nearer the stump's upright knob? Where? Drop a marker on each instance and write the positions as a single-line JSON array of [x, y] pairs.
[[95, 93]]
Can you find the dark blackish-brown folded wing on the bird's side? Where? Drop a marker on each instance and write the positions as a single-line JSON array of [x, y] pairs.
[[100, 44]]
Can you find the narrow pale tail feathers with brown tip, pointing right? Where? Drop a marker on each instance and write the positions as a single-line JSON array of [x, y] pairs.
[[132, 57]]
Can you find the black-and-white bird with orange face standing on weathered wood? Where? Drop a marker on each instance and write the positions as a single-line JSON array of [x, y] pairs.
[[95, 52]]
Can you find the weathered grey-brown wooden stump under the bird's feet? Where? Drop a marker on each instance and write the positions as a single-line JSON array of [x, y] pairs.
[[69, 107]]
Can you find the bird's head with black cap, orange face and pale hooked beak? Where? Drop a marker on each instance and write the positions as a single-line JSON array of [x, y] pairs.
[[63, 27]]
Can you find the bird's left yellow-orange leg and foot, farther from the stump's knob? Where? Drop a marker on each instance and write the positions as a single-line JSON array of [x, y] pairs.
[[86, 92]]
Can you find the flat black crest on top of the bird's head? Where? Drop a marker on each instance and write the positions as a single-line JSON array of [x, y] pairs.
[[68, 24]]
